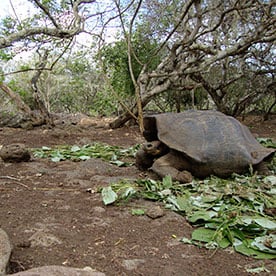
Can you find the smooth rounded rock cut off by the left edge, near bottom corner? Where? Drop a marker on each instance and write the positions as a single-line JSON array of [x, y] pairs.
[[5, 251]]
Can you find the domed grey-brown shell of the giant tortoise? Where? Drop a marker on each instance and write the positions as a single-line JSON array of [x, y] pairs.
[[207, 137]]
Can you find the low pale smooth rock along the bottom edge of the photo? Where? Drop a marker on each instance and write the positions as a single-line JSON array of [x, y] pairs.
[[55, 270]]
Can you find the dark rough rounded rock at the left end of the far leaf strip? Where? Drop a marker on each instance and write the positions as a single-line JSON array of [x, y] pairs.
[[14, 153]]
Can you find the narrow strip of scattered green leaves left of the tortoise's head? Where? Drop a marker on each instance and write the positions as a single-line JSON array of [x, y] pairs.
[[113, 154]]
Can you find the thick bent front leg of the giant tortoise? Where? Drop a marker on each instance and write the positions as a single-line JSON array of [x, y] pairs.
[[169, 165]]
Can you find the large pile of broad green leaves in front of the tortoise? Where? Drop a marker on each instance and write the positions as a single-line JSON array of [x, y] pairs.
[[238, 212]]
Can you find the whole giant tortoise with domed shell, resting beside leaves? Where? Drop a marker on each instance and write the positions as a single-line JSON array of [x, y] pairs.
[[200, 144]]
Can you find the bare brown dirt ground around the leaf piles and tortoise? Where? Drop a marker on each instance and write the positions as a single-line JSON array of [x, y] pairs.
[[54, 216]]
